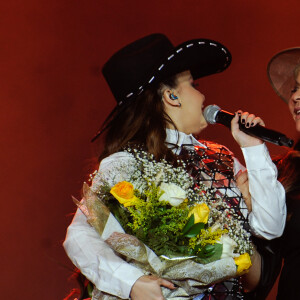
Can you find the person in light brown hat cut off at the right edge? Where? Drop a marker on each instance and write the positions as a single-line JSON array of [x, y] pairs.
[[284, 75]]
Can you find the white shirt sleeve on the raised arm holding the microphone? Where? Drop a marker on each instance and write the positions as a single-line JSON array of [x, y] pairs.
[[267, 219]]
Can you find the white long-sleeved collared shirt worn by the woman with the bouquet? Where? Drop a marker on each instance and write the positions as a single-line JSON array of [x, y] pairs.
[[111, 274]]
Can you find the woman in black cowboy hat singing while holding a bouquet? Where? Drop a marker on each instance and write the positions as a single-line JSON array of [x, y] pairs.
[[160, 110]]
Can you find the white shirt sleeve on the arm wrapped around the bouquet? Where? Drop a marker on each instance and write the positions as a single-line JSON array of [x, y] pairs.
[[95, 259]]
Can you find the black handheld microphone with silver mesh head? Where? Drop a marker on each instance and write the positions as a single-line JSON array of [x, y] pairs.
[[213, 114]]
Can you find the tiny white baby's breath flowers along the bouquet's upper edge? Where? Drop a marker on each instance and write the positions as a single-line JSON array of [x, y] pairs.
[[177, 185]]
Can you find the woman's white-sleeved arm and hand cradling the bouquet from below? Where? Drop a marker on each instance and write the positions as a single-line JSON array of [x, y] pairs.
[[97, 261]]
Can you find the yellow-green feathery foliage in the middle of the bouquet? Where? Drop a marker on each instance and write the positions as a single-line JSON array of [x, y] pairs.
[[158, 224]]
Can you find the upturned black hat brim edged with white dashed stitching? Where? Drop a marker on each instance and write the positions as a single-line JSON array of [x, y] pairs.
[[202, 57]]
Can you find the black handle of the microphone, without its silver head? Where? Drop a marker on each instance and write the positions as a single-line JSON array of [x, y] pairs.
[[257, 131]]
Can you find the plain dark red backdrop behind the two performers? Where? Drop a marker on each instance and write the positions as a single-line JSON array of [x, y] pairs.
[[54, 98]]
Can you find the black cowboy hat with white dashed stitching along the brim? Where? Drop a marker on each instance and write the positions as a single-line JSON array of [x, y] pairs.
[[153, 58]]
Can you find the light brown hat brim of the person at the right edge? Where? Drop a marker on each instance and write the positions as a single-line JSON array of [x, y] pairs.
[[281, 72]]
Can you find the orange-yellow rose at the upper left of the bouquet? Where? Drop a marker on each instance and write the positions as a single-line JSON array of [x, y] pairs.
[[123, 192]]
